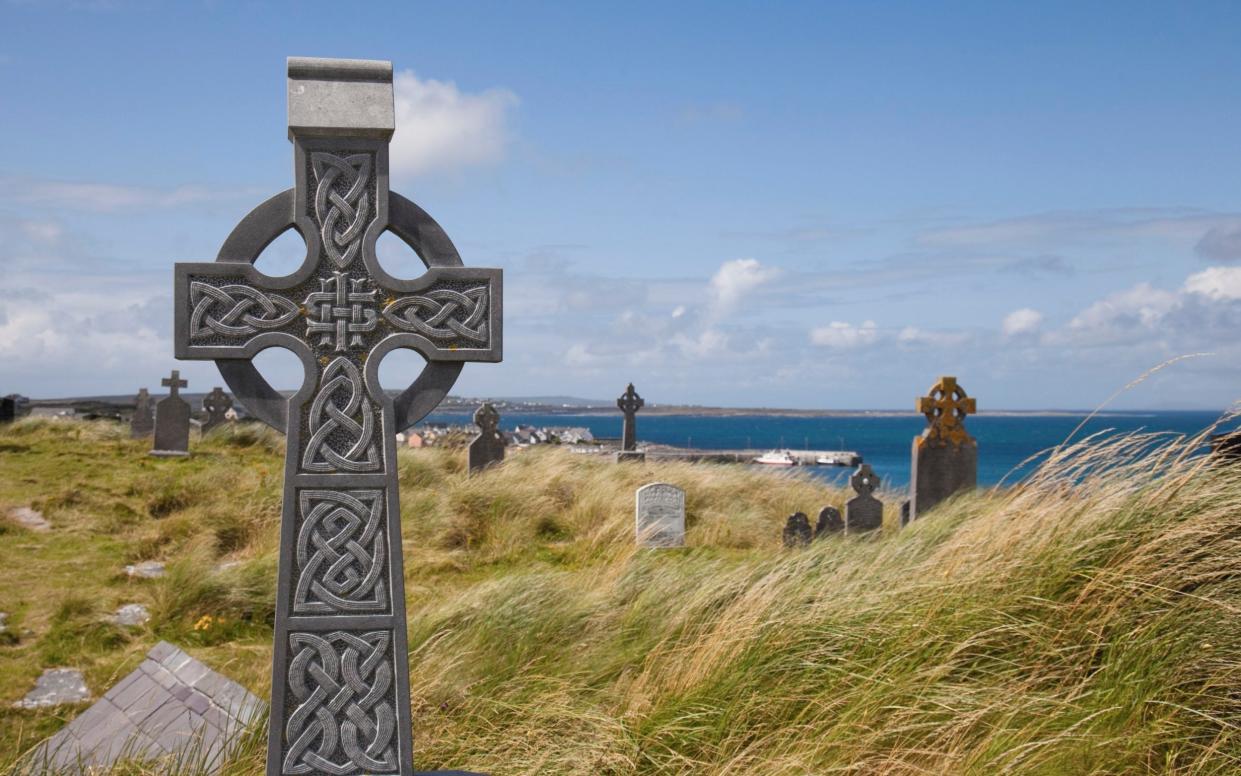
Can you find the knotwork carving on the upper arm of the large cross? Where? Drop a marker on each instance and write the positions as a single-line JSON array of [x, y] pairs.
[[342, 203]]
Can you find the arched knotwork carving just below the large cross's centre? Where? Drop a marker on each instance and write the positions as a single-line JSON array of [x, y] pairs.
[[342, 424]]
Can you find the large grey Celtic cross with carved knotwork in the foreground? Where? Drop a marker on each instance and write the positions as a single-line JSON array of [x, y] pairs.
[[341, 685]]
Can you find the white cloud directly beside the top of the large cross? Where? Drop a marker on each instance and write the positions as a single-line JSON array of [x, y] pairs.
[[442, 129]]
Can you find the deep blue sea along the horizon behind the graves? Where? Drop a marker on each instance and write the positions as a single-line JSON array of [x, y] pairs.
[[1005, 441]]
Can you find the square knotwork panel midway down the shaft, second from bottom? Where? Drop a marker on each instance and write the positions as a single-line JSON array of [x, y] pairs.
[[342, 553]]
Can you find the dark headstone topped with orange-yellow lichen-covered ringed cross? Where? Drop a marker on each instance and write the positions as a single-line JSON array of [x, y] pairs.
[[945, 459]]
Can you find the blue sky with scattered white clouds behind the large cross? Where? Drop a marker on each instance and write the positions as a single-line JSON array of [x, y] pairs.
[[811, 205]]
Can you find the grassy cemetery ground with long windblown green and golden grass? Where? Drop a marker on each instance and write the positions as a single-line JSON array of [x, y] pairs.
[[1086, 623]]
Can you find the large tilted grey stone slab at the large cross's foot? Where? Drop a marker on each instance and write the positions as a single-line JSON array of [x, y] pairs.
[[171, 706]]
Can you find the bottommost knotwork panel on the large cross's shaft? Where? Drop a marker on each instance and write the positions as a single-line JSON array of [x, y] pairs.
[[344, 722]]
